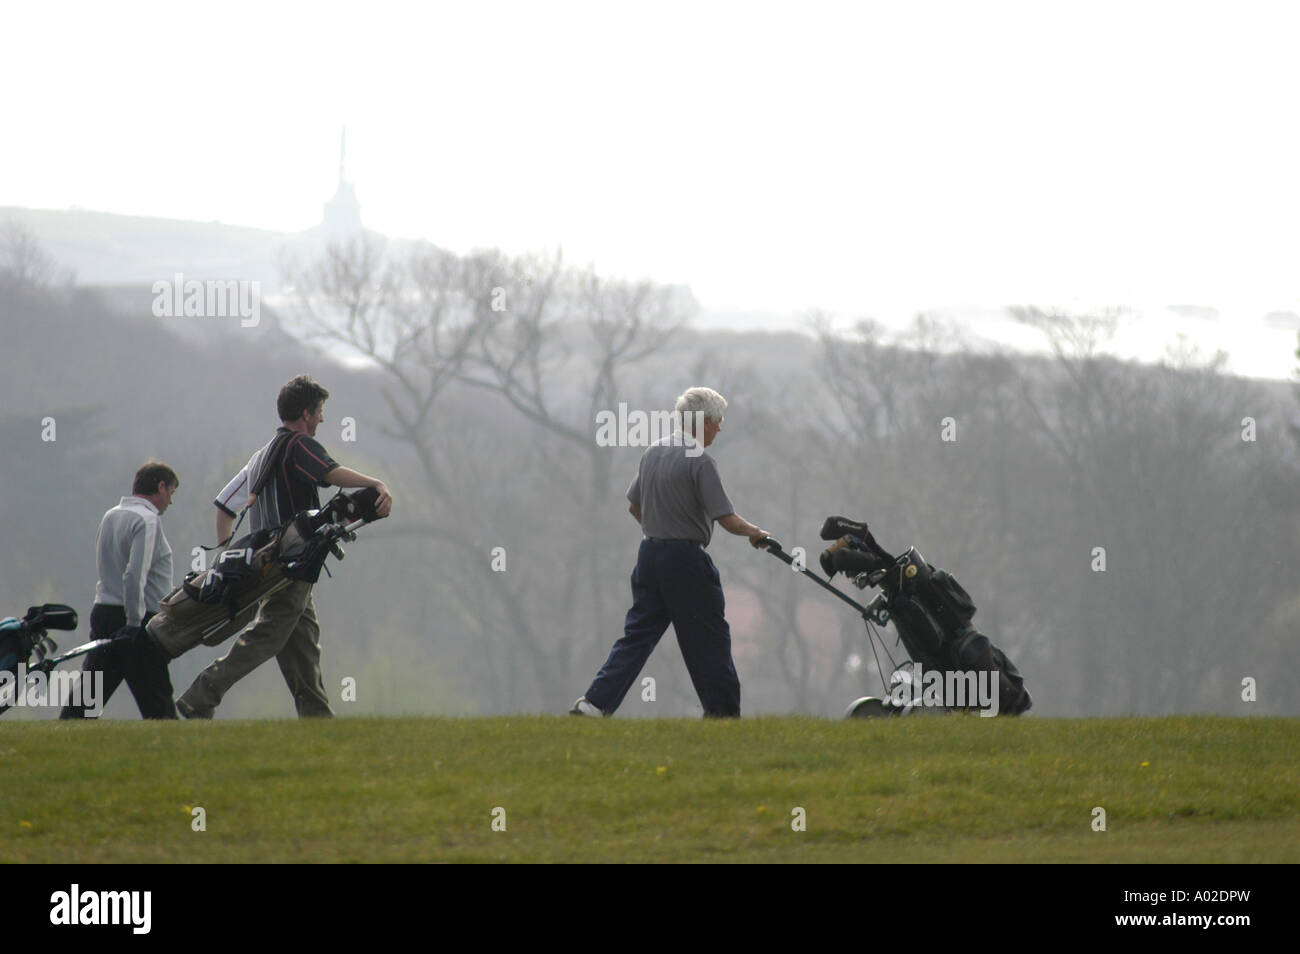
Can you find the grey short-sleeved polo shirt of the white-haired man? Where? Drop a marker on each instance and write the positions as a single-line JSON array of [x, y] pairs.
[[681, 495]]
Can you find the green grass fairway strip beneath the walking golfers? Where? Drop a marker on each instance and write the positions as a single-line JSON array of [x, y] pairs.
[[925, 790]]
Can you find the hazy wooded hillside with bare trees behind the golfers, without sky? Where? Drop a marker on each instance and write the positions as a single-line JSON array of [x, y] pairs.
[[483, 422]]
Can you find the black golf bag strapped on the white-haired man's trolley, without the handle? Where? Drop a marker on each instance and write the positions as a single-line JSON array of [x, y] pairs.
[[930, 610]]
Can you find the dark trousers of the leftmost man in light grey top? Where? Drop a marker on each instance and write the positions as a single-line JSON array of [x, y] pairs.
[[136, 658]]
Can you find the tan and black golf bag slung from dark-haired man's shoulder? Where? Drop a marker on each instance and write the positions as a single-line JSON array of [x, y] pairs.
[[213, 606]]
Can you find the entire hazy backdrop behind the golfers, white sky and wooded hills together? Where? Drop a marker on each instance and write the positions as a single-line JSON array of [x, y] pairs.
[[543, 213]]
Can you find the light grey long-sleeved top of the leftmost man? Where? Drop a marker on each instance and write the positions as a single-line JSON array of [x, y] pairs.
[[133, 558]]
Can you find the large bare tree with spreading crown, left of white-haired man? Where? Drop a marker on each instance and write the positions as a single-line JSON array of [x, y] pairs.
[[552, 345]]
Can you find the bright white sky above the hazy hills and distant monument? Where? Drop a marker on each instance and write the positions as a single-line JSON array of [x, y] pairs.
[[859, 158]]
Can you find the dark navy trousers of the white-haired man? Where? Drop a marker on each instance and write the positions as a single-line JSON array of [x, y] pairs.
[[674, 583]]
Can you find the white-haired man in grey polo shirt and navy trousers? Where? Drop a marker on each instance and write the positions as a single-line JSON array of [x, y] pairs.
[[677, 497]]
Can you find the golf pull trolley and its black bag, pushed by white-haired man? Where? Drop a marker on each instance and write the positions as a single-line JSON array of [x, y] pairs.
[[931, 614]]
